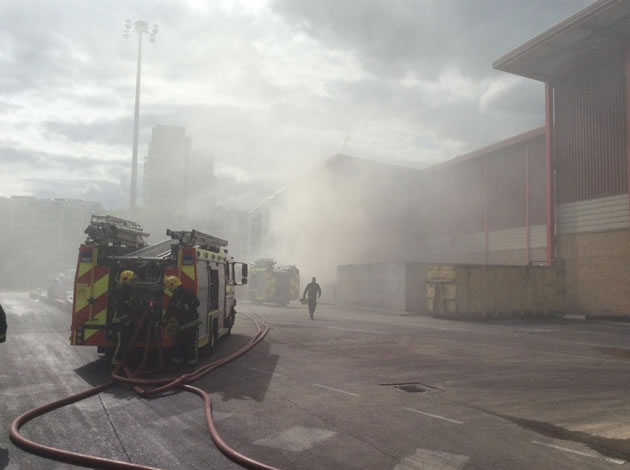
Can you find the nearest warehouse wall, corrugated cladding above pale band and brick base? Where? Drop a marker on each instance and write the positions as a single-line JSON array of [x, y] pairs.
[[592, 211]]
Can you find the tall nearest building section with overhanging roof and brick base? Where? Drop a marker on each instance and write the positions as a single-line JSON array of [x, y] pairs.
[[584, 63]]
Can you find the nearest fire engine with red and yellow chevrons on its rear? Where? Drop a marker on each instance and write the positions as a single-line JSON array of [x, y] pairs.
[[114, 245]]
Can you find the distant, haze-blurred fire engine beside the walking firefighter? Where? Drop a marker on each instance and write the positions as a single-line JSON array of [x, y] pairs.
[[273, 283]]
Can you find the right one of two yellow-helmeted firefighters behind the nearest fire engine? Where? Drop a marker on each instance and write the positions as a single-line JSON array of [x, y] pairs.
[[183, 305]]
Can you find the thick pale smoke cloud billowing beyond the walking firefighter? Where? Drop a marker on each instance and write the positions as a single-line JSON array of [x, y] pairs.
[[346, 211]]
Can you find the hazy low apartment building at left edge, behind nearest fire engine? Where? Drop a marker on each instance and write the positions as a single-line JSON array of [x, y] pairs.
[[40, 237]]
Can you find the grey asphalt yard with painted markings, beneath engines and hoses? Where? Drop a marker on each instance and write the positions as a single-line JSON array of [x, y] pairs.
[[350, 390]]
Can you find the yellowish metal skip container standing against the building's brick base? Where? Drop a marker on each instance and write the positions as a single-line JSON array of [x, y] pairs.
[[494, 291]]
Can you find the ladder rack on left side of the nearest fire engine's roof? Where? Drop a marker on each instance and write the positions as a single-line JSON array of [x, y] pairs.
[[113, 231]]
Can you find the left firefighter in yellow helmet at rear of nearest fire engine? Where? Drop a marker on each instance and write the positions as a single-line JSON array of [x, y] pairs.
[[124, 316]]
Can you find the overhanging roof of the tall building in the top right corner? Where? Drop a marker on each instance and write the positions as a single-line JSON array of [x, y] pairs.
[[603, 26]]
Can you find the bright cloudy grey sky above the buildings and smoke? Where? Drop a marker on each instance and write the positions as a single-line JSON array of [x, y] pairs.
[[269, 88]]
